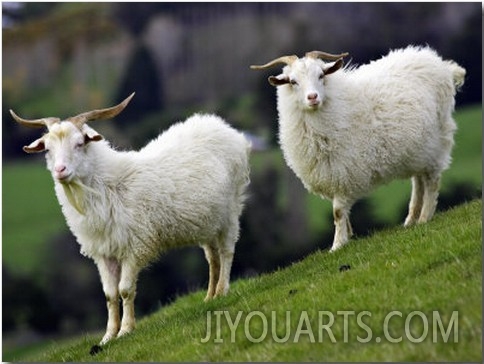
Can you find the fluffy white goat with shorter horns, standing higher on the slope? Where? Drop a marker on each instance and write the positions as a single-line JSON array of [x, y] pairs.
[[344, 133]]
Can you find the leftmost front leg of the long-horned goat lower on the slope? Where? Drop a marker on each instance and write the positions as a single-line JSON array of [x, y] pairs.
[[109, 270]]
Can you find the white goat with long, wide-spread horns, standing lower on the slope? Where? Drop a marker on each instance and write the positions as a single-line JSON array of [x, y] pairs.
[[186, 187]]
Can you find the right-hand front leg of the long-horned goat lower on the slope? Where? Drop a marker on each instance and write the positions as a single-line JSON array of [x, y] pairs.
[[127, 290]]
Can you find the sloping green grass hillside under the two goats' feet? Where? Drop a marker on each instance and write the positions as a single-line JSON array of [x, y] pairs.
[[425, 274]]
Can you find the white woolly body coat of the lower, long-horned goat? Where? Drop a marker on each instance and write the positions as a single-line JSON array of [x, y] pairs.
[[183, 188]]
